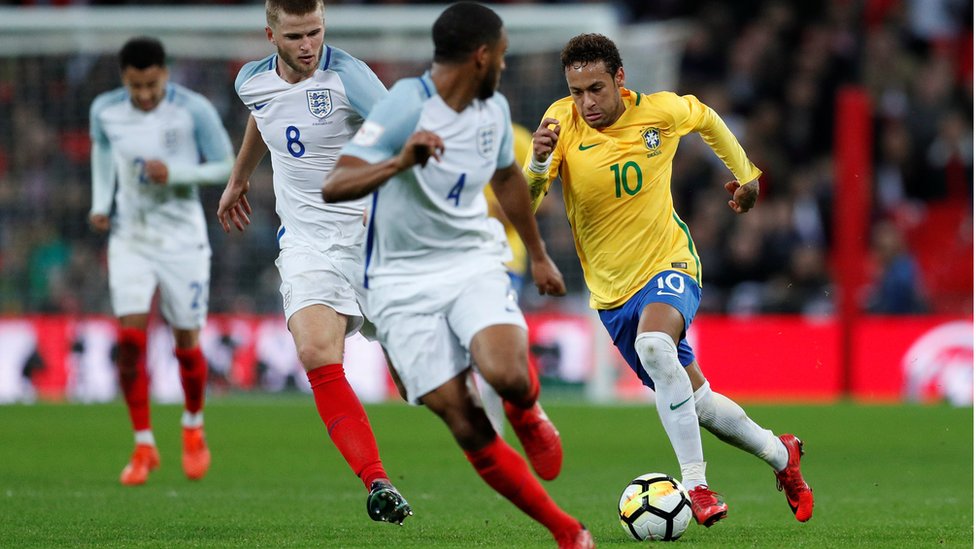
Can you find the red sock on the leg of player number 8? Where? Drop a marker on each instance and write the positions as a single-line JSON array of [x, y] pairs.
[[346, 421]]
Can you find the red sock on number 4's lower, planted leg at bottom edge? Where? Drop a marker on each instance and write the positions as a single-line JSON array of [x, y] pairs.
[[505, 471]]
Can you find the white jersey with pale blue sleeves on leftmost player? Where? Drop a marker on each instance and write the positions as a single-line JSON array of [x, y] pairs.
[[183, 131]]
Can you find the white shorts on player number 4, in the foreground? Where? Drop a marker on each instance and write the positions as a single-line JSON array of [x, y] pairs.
[[427, 329]]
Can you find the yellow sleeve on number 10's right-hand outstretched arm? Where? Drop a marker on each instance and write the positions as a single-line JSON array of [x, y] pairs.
[[691, 115]]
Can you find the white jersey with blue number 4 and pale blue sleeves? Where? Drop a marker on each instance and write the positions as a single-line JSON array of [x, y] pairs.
[[434, 220]]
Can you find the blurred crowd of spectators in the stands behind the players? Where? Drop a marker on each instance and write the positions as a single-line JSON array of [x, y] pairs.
[[771, 69]]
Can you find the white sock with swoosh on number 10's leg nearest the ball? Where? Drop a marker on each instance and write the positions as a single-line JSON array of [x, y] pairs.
[[675, 402]]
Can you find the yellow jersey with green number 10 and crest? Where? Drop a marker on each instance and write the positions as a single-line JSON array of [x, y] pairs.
[[616, 185]]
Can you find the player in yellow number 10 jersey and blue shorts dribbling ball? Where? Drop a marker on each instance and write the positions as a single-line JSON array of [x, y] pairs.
[[613, 149]]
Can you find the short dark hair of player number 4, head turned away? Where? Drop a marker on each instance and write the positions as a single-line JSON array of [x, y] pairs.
[[463, 28]]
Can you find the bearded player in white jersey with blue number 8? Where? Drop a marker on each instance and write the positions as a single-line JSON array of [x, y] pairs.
[[306, 102]]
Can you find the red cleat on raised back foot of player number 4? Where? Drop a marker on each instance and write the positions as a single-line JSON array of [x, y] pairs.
[[539, 439]]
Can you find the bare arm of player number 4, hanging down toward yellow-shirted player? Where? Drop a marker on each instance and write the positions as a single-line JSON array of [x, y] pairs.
[[513, 197]]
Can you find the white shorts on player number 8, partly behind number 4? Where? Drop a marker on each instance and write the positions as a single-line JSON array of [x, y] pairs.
[[333, 278]]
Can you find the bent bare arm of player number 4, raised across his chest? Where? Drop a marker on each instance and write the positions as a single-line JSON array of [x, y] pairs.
[[354, 178]]
